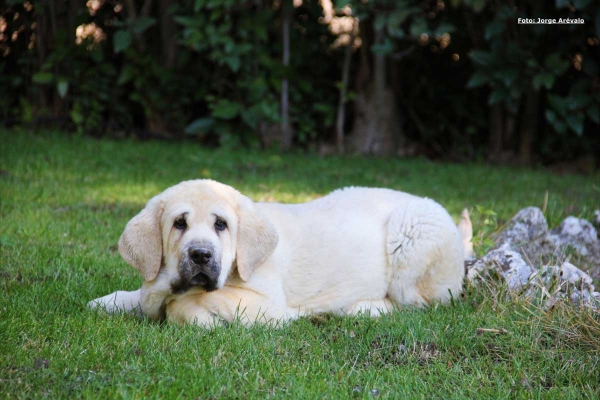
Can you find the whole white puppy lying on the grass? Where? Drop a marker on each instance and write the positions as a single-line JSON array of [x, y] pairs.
[[205, 251]]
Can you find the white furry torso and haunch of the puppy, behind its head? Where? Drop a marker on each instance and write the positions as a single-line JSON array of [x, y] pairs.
[[364, 244]]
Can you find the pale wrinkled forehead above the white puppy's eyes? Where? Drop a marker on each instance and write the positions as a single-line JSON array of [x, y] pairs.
[[196, 203]]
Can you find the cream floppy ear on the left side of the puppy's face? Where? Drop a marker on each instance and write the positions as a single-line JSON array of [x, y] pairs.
[[141, 242]]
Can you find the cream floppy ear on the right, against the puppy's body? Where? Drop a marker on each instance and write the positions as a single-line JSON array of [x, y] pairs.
[[256, 239]]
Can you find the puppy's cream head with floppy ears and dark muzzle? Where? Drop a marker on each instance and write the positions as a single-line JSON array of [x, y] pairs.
[[193, 235]]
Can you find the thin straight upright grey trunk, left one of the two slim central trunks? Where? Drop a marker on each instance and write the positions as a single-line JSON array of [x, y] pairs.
[[287, 7]]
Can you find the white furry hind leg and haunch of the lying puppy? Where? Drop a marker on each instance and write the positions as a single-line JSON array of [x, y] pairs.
[[425, 253]]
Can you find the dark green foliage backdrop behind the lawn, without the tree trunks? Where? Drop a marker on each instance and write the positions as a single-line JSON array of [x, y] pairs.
[[212, 70]]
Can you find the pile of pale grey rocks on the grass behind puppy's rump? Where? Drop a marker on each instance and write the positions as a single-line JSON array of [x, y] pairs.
[[526, 245]]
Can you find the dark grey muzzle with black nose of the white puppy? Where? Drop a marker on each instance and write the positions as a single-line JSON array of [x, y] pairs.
[[199, 268]]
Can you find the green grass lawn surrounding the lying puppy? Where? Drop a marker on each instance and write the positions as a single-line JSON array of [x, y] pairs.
[[65, 201]]
